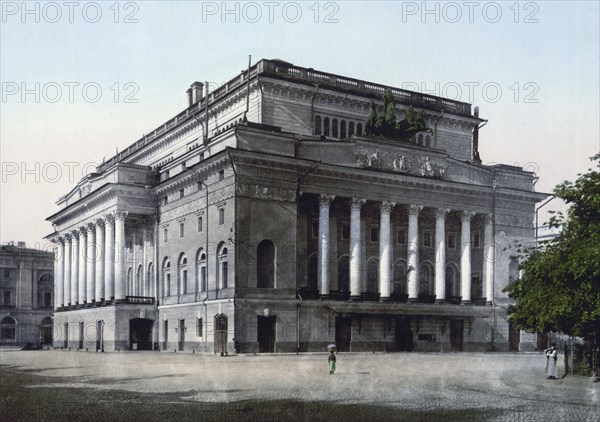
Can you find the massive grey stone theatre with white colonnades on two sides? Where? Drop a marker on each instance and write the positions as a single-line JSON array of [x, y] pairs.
[[268, 216]]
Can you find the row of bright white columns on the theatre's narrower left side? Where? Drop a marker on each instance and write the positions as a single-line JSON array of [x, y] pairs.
[[90, 264]]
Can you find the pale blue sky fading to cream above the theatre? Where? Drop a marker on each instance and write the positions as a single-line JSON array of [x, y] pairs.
[[81, 80]]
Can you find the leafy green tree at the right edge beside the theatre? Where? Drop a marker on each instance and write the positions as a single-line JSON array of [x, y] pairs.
[[560, 287]]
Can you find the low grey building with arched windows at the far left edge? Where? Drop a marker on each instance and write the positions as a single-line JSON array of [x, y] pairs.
[[26, 296]]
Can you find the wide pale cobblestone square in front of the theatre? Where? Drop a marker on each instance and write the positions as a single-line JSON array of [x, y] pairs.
[[131, 386]]
